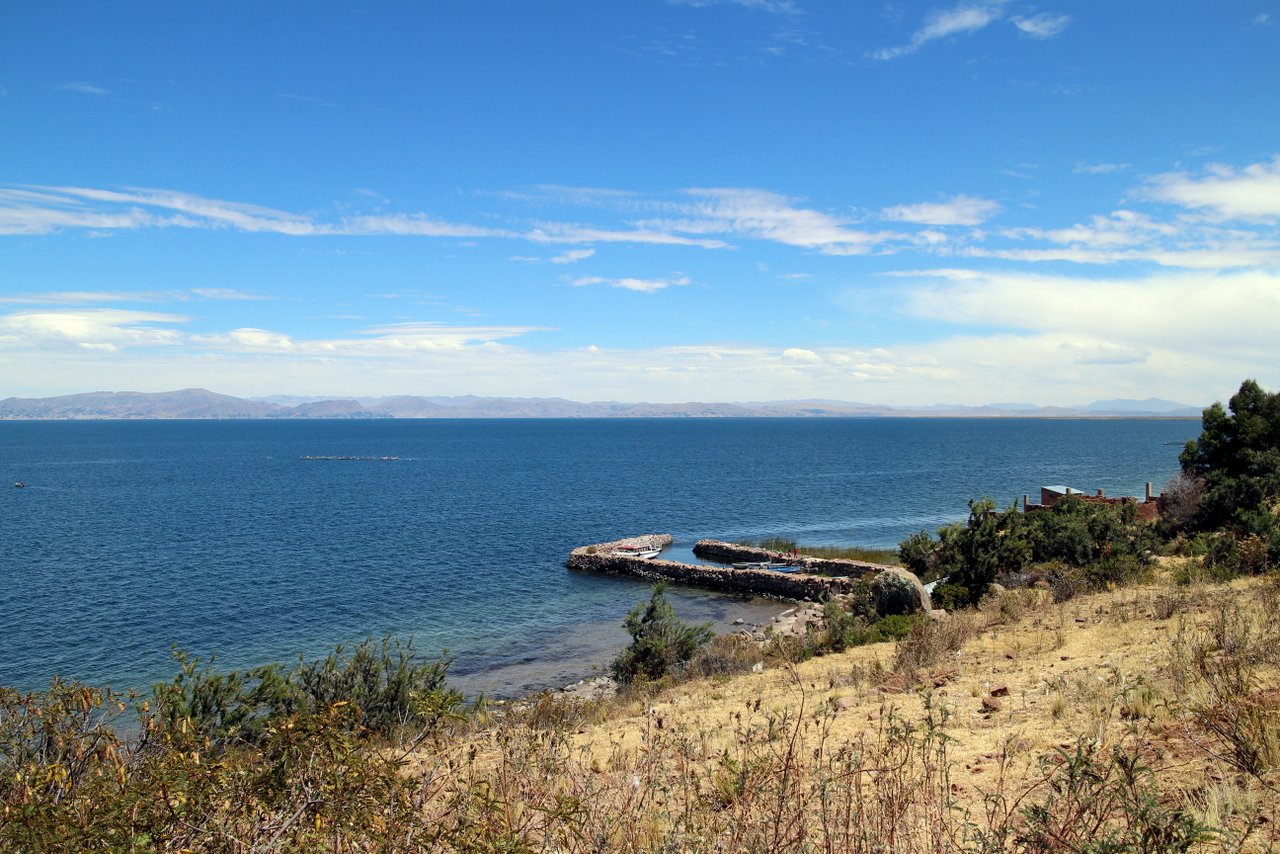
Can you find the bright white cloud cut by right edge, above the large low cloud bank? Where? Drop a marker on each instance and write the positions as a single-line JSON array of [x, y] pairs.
[[1252, 193]]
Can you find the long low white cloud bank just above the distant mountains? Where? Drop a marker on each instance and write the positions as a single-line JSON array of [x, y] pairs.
[[1063, 354]]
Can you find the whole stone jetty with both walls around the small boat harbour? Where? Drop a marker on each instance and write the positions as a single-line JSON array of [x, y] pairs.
[[802, 586]]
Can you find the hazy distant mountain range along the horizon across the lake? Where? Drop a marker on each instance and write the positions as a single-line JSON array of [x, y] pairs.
[[202, 404]]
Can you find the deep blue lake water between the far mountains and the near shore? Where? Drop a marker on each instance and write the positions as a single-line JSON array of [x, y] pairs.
[[132, 537]]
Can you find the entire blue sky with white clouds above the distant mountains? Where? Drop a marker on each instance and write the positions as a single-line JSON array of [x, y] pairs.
[[642, 200]]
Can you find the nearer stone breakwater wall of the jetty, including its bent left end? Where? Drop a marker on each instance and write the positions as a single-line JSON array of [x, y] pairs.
[[797, 587]]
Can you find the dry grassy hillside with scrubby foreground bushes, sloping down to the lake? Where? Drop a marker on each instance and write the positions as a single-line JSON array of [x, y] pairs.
[[1144, 720]]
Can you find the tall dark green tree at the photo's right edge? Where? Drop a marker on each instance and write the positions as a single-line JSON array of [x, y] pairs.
[[1237, 462]]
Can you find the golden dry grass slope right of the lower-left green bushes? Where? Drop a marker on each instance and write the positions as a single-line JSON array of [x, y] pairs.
[[1149, 711]]
